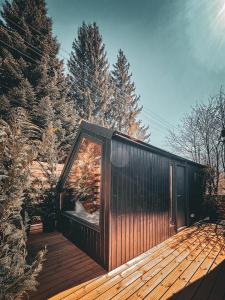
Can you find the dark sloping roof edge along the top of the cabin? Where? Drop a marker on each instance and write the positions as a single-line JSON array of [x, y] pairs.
[[110, 133]]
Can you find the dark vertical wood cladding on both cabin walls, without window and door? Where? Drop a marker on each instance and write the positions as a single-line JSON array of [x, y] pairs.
[[138, 198]]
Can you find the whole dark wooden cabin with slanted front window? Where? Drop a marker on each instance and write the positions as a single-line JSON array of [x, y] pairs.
[[119, 197]]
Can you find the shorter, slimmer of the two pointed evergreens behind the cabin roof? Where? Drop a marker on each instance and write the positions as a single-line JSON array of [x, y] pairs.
[[126, 102]]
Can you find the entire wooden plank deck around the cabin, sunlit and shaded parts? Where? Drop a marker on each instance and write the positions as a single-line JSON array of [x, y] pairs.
[[190, 265]]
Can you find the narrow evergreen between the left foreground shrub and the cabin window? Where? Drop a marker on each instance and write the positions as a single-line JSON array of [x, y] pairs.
[[41, 194]]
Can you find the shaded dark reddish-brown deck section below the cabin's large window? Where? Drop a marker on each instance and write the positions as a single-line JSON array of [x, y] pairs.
[[65, 266]]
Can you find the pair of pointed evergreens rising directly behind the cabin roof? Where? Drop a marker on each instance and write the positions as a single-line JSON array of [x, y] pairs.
[[100, 97]]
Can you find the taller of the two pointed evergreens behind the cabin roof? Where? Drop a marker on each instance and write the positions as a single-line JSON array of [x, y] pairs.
[[89, 76]]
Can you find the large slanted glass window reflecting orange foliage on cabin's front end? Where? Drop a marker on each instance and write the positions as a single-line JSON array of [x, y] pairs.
[[81, 193]]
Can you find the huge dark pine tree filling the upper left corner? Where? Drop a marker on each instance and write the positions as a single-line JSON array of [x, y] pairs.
[[31, 74]]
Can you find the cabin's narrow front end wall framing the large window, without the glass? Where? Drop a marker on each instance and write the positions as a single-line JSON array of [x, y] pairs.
[[91, 240]]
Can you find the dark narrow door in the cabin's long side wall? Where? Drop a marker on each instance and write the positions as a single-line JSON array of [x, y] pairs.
[[180, 197]]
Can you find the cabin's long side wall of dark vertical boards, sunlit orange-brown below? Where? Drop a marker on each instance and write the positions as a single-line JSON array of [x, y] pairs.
[[143, 207]]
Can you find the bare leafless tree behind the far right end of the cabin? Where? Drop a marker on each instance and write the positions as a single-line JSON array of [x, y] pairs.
[[199, 138]]
